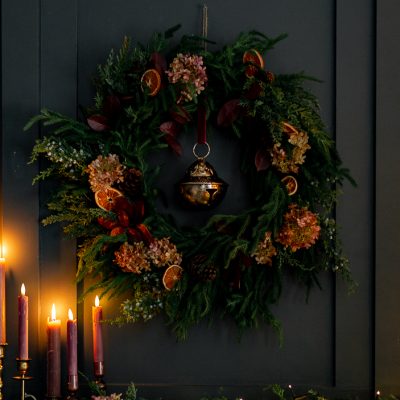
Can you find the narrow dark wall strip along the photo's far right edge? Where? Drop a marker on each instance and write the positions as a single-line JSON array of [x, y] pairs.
[[387, 204]]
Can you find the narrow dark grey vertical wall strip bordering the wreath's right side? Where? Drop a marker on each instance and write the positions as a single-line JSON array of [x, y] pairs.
[[355, 141]]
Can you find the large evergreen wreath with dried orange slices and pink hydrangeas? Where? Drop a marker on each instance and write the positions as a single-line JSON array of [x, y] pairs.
[[107, 196]]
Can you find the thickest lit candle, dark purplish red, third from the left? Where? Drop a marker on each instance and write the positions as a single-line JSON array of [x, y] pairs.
[[53, 355]]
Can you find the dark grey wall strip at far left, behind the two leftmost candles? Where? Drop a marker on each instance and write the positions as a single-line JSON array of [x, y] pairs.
[[20, 99]]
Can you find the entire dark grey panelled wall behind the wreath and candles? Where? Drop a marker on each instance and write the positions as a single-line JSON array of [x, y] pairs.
[[336, 342]]
